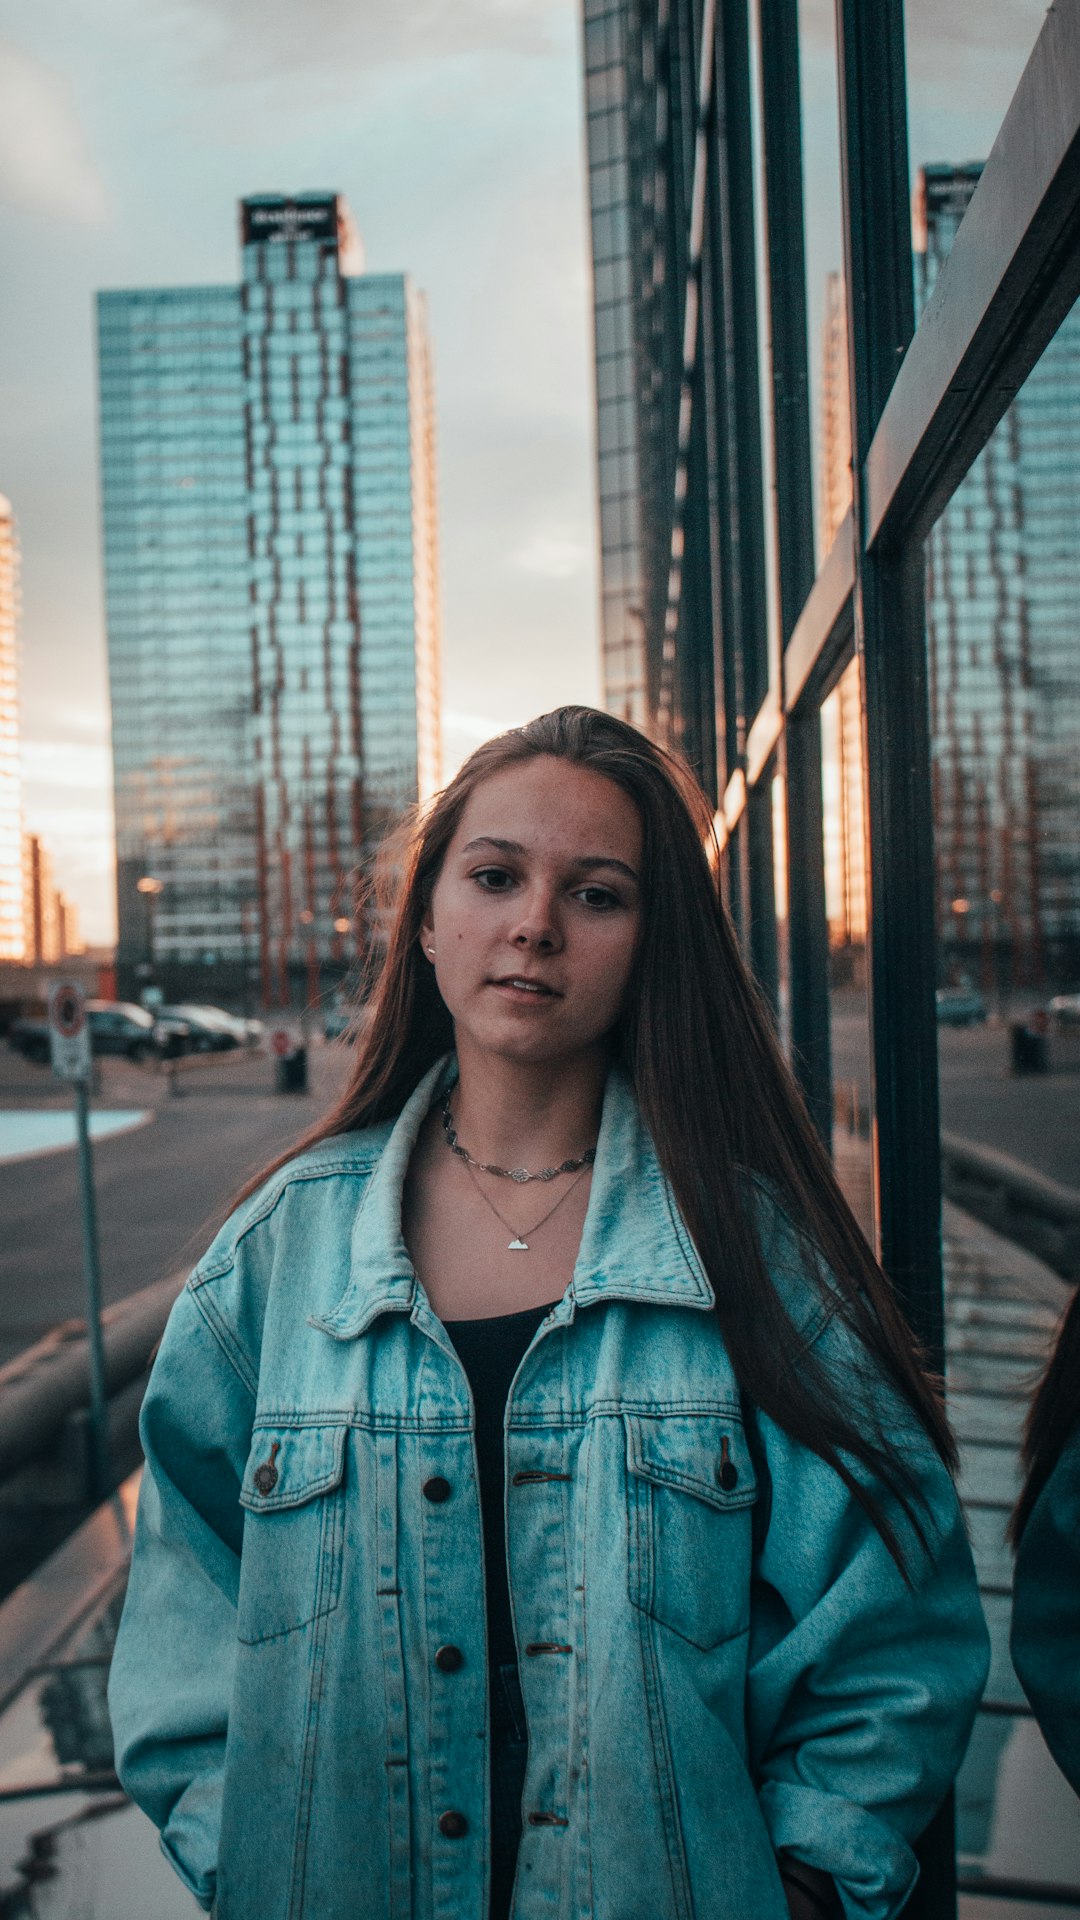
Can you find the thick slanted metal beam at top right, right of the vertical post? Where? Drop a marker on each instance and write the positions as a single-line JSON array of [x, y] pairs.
[[1012, 277]]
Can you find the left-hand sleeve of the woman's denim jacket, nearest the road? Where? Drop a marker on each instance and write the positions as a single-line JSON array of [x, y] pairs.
[[172, 1669]]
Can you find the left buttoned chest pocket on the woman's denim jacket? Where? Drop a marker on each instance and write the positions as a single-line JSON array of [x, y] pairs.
[[293, 1497]]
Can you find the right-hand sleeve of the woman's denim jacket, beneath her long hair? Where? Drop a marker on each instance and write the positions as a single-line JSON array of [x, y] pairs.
[[862, 1689]]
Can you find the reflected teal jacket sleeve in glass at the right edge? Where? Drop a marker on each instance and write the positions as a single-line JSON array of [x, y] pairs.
[[1046, 1612]]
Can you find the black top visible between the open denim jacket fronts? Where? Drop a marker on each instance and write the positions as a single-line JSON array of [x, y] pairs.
[[491, 1351]]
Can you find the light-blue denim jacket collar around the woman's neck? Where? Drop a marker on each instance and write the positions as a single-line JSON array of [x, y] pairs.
[[635, 1245]]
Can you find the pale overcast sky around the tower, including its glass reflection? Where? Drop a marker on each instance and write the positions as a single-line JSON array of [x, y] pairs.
[[128, 133]]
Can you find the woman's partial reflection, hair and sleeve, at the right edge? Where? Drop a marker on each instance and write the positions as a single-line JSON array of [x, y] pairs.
[[1046, 1533]]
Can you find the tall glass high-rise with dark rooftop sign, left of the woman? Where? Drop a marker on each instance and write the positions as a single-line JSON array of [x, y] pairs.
[[270, 529]]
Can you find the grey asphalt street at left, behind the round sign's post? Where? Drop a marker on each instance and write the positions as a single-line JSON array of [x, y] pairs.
[[162, 1189]]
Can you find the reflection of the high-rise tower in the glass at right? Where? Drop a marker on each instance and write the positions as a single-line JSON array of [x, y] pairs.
[[1002, 590]]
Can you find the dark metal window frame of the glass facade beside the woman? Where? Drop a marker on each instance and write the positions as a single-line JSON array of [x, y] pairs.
[[923, 406]]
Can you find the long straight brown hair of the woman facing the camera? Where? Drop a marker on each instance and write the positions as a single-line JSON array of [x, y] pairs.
[[714, 1090]]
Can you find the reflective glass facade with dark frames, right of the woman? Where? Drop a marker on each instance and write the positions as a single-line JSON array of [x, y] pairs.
[[883, 706]]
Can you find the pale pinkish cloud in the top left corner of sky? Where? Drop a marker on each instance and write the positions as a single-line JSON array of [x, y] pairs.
[[45, 162]]
